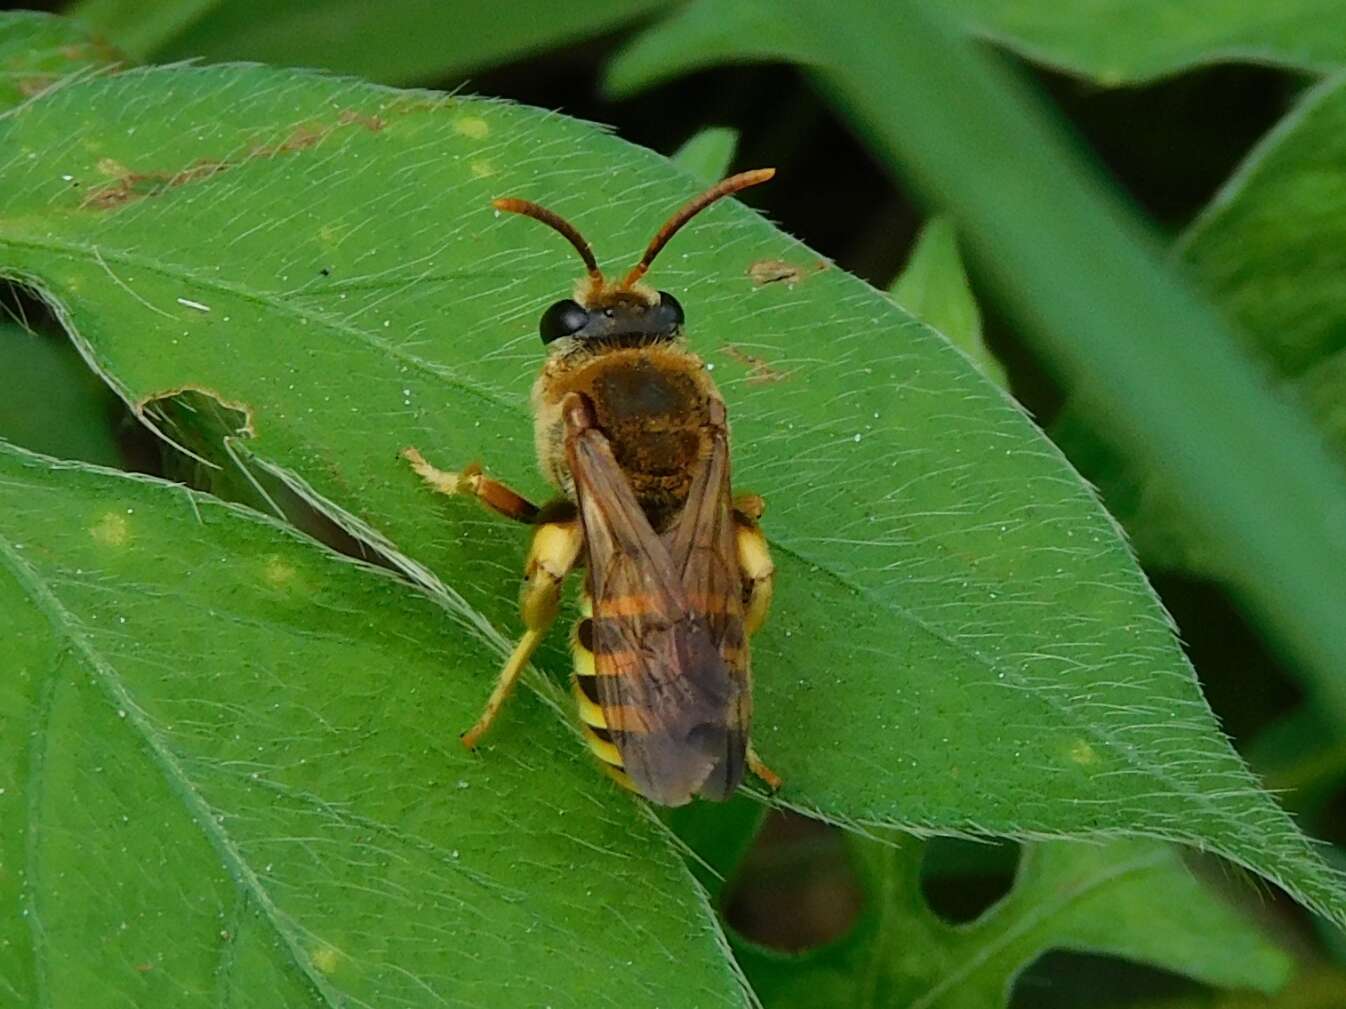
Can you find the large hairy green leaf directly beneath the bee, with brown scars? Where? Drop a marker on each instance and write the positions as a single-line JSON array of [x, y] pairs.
[[960, 641]]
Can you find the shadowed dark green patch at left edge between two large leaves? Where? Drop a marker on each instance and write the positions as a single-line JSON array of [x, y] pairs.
[[53, 403]]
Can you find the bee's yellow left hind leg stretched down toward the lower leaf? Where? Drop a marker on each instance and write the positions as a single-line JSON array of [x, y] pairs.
[[557, 548]]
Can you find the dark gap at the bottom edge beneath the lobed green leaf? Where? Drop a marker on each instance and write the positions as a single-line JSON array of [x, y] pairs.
[[1064, 980]]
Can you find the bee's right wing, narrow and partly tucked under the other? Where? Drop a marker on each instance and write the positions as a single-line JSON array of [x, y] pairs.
[[705, 552]]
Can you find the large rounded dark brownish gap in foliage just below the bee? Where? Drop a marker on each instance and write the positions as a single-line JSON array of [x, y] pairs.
[[796, 889]]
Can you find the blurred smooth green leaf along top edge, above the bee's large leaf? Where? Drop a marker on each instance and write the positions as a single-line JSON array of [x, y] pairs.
[[395, 41]]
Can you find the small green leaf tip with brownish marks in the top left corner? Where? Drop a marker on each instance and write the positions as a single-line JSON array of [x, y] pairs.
[[37, 50]]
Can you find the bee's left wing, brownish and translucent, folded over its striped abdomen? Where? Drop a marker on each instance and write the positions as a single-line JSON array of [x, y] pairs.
[[666, 691]]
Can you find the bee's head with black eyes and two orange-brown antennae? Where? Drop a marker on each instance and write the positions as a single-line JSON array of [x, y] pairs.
[[627, 314]]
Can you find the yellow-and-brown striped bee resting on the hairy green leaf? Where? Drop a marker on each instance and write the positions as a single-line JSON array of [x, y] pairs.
[[633, 434]]
